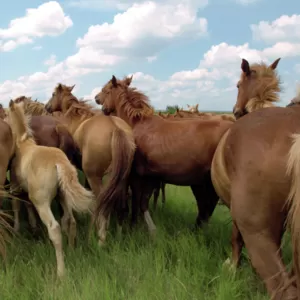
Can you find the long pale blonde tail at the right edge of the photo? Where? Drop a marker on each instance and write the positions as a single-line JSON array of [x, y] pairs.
[[293, 201]]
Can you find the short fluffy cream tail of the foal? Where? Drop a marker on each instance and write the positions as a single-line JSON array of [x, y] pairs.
[[80, 199]]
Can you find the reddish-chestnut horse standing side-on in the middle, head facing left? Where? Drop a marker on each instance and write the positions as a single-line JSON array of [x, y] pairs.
[[175, 152]]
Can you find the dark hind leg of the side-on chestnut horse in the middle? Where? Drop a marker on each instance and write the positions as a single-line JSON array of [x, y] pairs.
[[206, 198]]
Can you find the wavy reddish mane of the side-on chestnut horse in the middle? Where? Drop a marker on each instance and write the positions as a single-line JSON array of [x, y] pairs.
[[135, 104]]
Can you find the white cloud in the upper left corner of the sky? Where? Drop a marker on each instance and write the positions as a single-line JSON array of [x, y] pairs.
[[48, 19]]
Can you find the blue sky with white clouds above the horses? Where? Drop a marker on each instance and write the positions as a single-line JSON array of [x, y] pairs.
[[179, 51]]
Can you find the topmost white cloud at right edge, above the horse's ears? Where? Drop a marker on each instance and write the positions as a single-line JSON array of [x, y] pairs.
[[286, 28]]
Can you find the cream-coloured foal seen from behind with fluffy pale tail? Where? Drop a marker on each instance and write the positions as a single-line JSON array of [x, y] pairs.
[[42, 172]]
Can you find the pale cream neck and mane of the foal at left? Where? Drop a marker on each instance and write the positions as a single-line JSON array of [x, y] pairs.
[[19, 123]]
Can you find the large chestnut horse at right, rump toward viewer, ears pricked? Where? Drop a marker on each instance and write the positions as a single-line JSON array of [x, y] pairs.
[[249, 173]]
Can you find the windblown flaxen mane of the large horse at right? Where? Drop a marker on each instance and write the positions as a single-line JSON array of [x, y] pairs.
[[268, 86]]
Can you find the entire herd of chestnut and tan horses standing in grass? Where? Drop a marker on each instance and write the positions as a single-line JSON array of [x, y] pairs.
[[249, 159]]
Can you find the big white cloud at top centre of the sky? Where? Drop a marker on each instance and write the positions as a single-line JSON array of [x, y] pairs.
[[135, 33]]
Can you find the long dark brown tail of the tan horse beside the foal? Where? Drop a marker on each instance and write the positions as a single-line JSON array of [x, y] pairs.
[[114, 193]]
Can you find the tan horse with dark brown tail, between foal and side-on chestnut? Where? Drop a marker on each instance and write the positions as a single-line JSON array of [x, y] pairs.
[[106, 143]]
